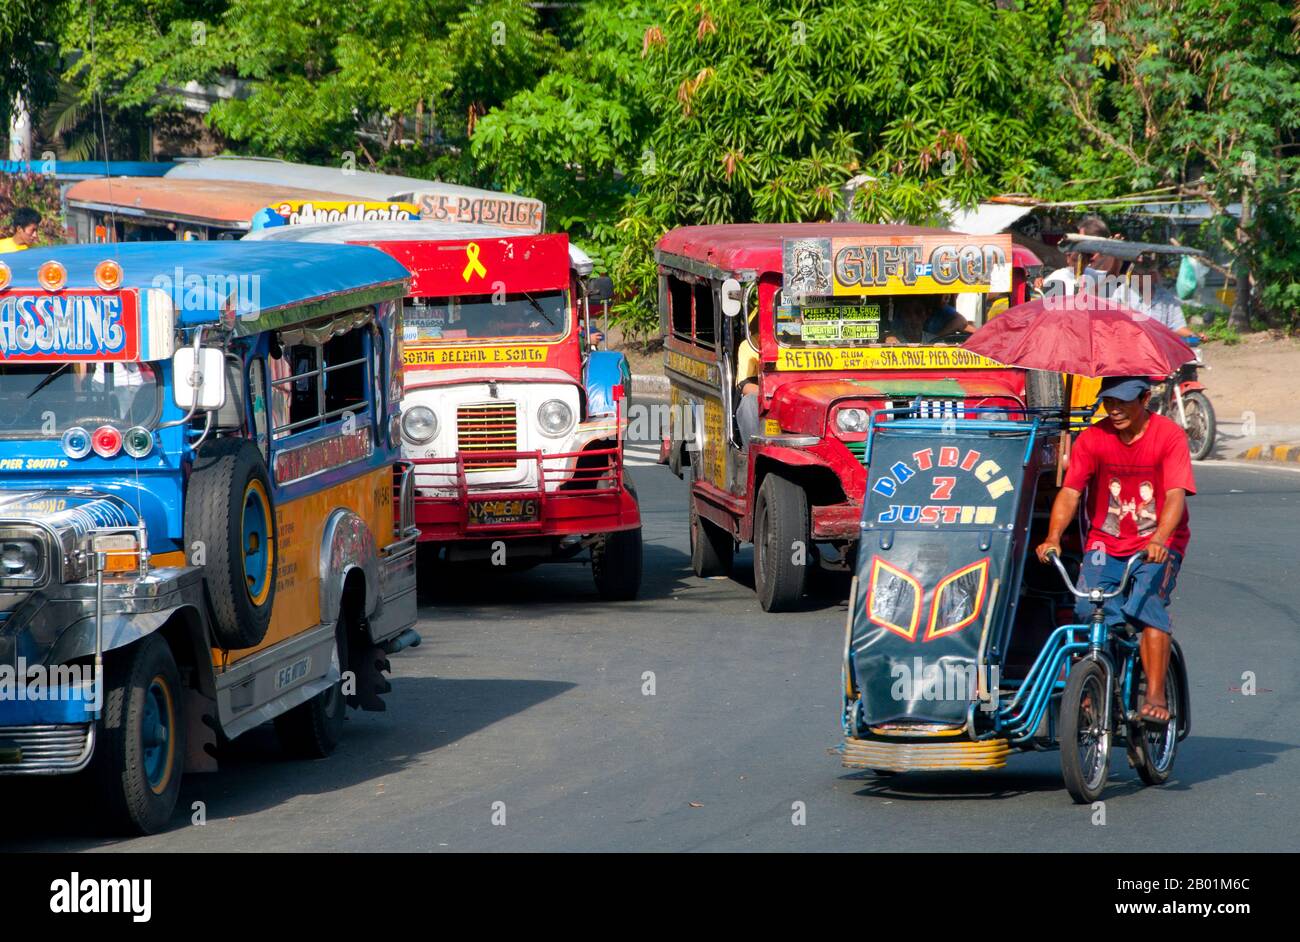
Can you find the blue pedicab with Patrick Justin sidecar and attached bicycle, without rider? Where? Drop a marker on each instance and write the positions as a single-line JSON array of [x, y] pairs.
[[963, 648]]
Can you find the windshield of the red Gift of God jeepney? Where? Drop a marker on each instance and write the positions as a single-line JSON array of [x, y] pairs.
[[874, 320]]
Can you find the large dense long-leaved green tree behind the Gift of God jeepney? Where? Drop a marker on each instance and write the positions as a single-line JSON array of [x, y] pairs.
[[733, 111]]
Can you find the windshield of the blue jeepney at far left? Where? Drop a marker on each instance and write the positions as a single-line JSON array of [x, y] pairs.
[[44, 401]]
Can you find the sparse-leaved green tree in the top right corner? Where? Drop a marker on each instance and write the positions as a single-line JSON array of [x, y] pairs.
[[1201, 98]]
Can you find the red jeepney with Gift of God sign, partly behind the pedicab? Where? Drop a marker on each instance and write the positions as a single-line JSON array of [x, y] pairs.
[[831, 311]]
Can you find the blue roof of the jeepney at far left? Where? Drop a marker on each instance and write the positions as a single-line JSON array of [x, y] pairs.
[[292, 284]]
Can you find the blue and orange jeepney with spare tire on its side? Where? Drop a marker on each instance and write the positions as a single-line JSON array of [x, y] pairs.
[[205, 519]]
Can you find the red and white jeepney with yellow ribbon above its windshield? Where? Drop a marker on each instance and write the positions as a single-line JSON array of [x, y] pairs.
[[513, 423]]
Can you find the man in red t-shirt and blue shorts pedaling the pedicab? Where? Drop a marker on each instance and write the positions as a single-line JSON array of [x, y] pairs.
[[1137, 467]]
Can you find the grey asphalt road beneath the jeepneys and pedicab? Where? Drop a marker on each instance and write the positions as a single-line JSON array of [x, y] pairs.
[[530, 693]]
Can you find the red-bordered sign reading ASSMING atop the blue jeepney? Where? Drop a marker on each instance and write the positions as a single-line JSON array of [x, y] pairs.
[[75, 325]]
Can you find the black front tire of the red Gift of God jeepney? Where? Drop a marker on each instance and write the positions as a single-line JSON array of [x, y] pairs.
[[782, 526]]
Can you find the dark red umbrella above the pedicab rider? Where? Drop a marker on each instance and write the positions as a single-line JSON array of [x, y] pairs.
[[1081, 335]]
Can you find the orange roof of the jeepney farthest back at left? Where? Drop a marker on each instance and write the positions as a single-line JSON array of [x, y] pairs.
[[228, 203]]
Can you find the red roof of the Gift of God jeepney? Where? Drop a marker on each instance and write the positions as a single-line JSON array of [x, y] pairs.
[[757, 246]]
